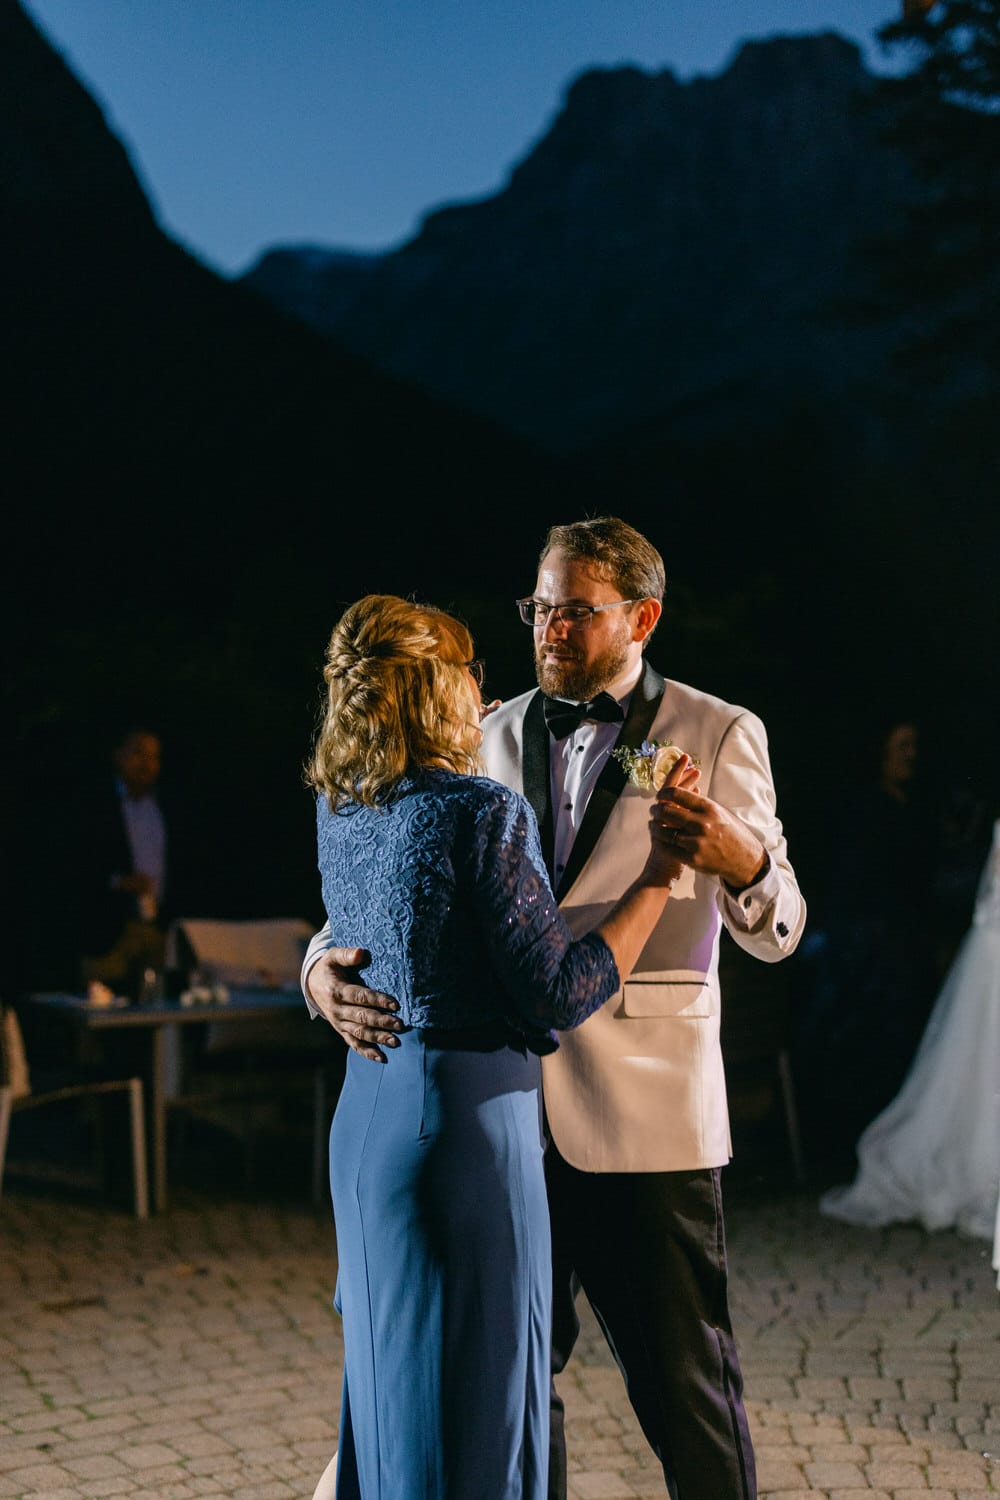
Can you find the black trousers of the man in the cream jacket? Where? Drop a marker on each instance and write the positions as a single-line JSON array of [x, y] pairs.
[[650, 1252]]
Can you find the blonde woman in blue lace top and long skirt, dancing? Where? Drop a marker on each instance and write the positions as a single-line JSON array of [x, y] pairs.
[[437, 1157]]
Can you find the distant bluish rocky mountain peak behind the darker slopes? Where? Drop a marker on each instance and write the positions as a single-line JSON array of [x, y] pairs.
[[665, 248]]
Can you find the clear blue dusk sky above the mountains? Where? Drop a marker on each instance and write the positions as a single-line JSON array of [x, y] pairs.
[[343, 122]]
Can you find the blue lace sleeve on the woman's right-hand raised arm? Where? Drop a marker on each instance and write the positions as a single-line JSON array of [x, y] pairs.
[[552, 979]]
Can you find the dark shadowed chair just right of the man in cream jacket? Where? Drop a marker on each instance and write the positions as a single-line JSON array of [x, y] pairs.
[[756, 1045]]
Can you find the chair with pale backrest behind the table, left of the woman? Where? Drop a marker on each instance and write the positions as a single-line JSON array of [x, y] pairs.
[[250, 1075]]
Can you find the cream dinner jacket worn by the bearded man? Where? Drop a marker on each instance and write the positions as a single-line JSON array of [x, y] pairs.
[[641, 1085]]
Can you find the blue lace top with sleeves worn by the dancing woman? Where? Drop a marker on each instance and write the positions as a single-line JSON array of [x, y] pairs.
[[448, 890]]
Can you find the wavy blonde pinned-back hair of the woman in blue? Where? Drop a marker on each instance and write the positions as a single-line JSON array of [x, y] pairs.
[[400, 697]]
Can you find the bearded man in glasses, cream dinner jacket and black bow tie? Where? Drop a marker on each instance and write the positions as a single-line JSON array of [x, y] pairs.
[[635, 1099]]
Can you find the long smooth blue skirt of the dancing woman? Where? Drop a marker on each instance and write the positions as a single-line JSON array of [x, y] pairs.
[[445, 1273]]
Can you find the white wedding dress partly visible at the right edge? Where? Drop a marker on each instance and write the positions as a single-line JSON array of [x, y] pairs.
[[933, 1156]]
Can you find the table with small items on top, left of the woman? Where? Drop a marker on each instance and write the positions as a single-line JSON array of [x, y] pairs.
[[244, 1006]]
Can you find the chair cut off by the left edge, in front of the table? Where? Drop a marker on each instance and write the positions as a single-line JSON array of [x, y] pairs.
[[20, 1094]]
